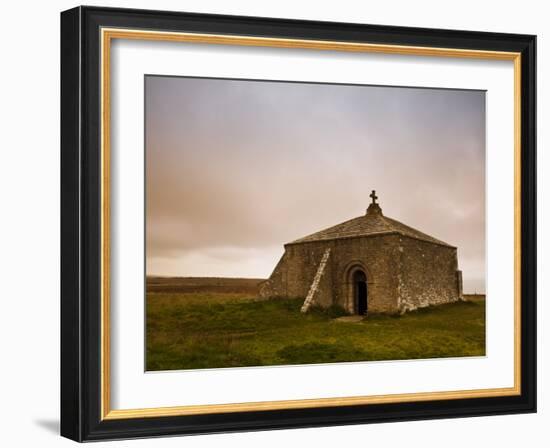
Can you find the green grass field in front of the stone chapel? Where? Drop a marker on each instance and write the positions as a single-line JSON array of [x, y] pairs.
[[212, 330]]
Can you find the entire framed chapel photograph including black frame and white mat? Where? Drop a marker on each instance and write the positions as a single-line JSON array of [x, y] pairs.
[[272, 223]]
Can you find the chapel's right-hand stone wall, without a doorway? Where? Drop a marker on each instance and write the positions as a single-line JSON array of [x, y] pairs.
[[428, 274]]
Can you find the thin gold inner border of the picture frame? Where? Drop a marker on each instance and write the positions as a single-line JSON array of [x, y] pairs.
[[107, 35]]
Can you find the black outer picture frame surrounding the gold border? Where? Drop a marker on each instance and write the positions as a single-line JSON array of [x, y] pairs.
[[81, 224]]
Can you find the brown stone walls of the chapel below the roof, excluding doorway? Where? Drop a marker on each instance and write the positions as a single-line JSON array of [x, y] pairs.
[[403, 273]]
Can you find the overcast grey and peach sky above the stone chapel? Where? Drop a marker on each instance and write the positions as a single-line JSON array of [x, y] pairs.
[[235, 169]]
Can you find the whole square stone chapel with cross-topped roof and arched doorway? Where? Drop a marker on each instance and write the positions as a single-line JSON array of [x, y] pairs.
[[369, 264]]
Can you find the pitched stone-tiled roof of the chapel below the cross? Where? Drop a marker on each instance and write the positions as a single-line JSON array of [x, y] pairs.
[[372, 223]]
